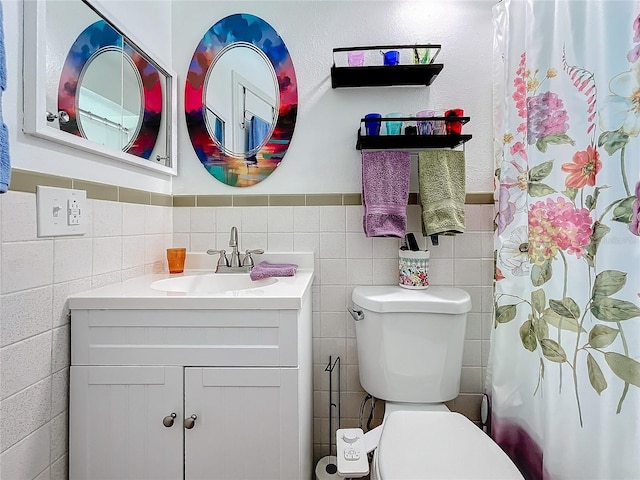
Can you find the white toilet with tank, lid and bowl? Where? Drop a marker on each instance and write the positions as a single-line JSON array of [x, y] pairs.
[[410, 346]]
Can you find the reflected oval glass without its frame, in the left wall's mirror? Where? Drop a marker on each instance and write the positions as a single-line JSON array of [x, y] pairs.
[[108, 112]]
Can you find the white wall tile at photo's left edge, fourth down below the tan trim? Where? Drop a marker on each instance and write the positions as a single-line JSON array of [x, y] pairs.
[[24, 363]]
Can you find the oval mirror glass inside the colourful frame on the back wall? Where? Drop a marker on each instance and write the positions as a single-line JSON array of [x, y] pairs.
[[241, 100]]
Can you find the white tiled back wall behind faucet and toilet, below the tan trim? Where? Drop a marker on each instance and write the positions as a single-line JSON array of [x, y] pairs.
[[345, 258]]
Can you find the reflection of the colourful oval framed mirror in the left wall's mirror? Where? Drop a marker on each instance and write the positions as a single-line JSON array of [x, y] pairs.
[[109, 93]]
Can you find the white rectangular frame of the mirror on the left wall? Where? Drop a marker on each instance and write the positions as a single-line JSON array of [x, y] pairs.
[[34, 95]]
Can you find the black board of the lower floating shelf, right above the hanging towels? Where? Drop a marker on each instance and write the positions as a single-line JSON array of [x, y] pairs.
[[406, 142]]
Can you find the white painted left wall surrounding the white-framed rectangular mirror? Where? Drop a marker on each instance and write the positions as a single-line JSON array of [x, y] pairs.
[[150, 28]]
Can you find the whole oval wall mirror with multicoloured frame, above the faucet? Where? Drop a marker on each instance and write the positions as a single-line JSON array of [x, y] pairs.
[[241, 100]]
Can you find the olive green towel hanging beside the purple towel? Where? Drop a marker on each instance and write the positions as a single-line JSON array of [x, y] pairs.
[[441, 178]]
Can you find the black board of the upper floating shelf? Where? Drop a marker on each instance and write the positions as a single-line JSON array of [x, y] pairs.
[[384, 75]]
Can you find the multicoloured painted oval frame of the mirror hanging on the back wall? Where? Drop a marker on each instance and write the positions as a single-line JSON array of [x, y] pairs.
[[240, 28]]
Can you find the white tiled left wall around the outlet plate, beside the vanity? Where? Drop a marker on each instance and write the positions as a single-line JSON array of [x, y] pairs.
[[124, 240]]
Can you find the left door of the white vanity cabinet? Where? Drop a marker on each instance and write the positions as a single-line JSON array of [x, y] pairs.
[[116, 428]]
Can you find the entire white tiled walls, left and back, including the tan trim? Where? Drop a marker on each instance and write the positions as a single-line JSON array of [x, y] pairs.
[[128, 232]]
